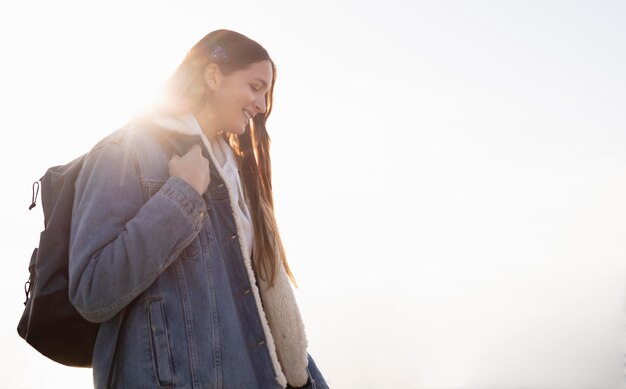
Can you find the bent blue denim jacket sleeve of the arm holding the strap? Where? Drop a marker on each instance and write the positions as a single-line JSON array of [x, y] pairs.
[[120, 243]]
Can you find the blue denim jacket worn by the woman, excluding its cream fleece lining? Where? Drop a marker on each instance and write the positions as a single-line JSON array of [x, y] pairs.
[[160, 267]]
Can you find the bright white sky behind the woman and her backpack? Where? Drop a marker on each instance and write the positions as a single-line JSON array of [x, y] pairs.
[[450, 176]]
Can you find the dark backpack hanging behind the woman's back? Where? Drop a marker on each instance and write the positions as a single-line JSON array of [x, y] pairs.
[[50, 323]]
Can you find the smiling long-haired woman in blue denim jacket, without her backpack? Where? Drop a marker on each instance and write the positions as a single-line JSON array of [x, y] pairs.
[[174, 246]]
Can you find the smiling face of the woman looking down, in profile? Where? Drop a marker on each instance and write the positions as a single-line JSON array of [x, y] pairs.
[[239, 96]]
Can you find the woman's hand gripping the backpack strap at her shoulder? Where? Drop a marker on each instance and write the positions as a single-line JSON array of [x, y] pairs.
[[193, 168]]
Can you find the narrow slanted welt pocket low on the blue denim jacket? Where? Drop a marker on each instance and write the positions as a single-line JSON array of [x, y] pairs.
[[159, 342]]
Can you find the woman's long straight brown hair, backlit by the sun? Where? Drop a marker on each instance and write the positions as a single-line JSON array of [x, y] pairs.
[[185, 91]]
